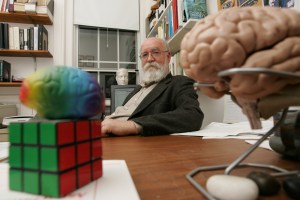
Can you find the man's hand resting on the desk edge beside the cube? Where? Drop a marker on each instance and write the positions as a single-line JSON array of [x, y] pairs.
[[118, 127]]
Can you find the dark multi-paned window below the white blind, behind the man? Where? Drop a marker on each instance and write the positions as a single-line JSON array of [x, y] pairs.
[[102, 51]]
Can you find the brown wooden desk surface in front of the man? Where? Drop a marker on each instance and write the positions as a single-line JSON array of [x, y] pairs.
[[159, 164]]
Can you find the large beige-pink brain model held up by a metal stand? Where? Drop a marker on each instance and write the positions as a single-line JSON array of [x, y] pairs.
[[249, 37]]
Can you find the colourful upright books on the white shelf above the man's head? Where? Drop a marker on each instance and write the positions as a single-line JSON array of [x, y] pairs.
[[177, 13]]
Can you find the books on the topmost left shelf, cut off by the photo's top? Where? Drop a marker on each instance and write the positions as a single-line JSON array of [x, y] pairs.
[[28, 6]]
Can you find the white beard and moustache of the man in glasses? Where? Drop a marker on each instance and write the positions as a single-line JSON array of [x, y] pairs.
[[154, 72]]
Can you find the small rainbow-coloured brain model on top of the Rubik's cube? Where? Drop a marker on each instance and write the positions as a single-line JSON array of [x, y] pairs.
[[62, 92]]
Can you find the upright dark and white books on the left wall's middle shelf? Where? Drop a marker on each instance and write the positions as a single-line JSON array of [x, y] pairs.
[[14, 37]]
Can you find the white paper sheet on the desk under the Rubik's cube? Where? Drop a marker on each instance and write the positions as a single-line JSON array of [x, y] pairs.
[[116, 183]]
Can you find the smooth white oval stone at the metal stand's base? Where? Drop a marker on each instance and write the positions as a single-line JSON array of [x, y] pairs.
[[227, 187]]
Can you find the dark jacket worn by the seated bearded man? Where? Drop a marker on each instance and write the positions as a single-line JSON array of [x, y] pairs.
[[171, 107]]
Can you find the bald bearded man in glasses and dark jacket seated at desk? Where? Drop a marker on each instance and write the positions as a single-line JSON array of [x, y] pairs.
[[161, 104]]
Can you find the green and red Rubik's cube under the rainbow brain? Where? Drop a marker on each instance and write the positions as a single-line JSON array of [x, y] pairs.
[[54, 158]]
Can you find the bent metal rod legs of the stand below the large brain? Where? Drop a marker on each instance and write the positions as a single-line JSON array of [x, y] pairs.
[[237, 162]]
